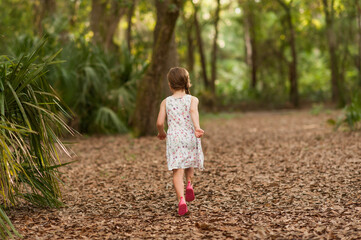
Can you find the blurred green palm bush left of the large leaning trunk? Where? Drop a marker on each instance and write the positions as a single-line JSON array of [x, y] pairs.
[[100, 87]]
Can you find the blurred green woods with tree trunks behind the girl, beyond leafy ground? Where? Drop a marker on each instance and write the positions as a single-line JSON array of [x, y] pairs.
[[241, 54]]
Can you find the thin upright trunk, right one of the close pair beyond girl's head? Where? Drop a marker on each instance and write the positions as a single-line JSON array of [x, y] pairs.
[[215, 49]]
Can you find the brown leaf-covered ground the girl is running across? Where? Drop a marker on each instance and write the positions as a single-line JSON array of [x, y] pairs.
[[274, 175]]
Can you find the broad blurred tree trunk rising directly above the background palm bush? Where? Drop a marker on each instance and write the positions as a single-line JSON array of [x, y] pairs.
[[104, 20]]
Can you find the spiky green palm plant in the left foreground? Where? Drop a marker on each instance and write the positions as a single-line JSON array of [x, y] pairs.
[[31, 119]]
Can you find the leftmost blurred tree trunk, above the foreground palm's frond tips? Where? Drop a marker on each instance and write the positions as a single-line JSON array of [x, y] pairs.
[[43, 9]]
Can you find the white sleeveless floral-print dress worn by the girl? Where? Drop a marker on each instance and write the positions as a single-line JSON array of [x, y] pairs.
[[184, 149]]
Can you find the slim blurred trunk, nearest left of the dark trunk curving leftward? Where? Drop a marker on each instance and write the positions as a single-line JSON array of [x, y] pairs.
[[250, 41]]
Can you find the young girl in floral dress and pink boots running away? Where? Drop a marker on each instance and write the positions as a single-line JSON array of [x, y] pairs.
[[184, 150]]
